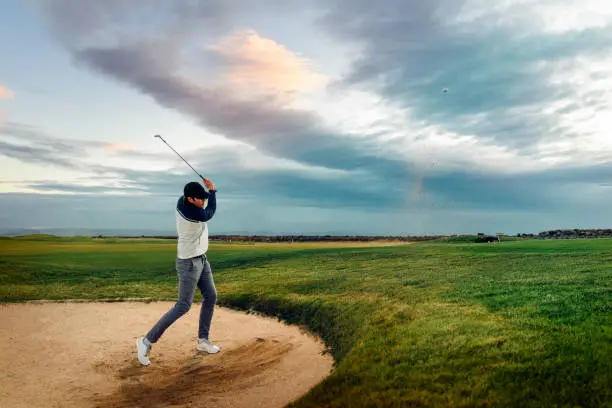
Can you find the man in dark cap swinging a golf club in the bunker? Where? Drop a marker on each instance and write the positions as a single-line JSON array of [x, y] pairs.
[[192, 267]]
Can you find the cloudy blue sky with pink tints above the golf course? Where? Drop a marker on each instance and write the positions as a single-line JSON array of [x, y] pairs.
[[401, 117]]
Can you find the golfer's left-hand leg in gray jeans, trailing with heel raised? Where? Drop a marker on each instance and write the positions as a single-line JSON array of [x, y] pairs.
[[188, 271]]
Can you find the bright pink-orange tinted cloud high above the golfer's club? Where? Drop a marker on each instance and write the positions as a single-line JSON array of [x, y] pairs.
[[254, 63]]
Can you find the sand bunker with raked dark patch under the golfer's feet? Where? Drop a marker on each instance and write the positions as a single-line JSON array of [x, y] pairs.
[[84, 355]]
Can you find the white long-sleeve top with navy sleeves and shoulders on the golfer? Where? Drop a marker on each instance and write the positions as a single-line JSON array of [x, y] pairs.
[[192, 226]]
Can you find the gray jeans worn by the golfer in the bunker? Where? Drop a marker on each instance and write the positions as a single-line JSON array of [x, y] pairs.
[[191, 272]]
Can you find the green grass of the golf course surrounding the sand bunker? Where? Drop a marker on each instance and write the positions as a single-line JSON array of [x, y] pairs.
[[525, 323]]
